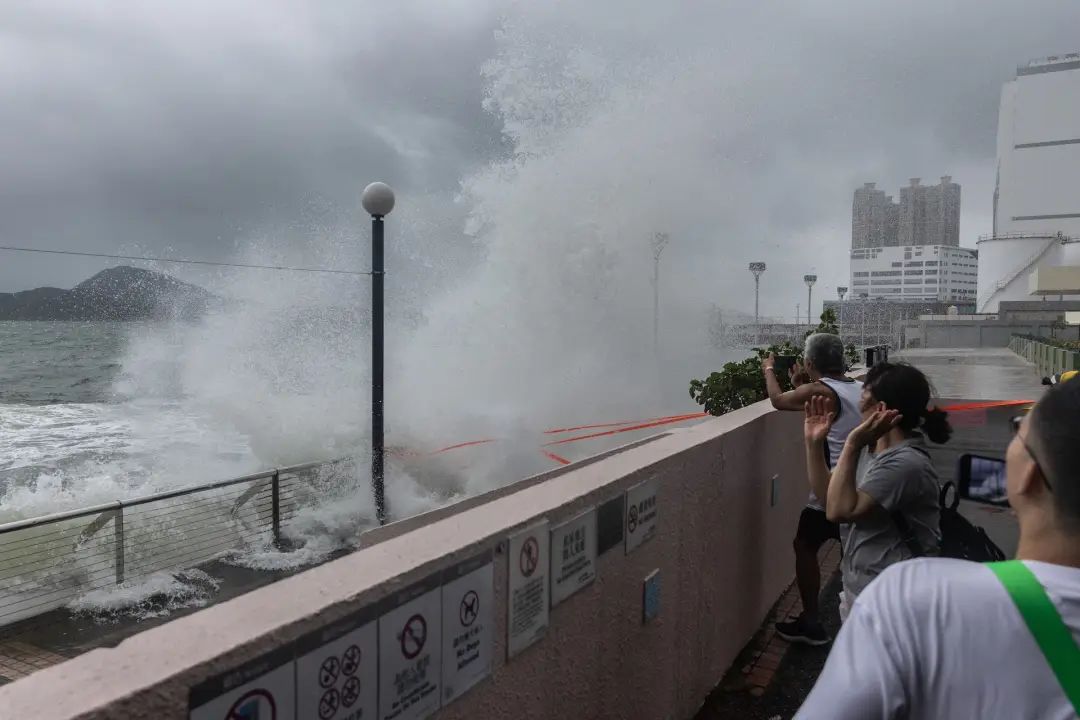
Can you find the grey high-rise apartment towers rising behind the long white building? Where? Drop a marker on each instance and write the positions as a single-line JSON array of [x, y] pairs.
[[926, 215]]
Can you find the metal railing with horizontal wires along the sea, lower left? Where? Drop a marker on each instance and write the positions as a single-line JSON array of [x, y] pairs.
[[48, 563]]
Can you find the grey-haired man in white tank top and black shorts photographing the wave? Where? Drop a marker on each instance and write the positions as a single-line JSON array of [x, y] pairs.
[[826, 368]]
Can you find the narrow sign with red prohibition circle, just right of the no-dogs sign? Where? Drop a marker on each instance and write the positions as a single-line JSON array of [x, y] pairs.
[[528, 596]]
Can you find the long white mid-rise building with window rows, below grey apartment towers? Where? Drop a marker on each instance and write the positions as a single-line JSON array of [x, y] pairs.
[[915, 273]]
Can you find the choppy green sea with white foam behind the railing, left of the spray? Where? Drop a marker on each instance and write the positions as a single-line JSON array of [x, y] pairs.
[[72, 436]]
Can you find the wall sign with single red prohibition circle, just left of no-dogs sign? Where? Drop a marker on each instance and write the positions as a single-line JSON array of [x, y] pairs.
[[410, 658]]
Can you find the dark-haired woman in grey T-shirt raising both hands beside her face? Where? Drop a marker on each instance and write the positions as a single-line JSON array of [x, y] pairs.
[[884, 490]]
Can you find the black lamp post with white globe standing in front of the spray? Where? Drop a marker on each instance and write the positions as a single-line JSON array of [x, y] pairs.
[[379, 200]]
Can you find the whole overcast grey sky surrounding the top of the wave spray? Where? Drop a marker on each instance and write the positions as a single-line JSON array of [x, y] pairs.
[[193, 129]]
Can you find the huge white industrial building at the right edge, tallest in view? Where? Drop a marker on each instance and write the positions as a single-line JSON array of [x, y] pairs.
[[1037, 198]]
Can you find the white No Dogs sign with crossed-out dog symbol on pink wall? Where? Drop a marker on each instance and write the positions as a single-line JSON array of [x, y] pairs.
[[468, 626]]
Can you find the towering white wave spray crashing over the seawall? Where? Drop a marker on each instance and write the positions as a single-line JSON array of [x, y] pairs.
[[525, 306]]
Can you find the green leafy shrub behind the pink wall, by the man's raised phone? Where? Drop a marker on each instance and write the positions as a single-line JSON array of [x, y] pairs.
[[742, 384]]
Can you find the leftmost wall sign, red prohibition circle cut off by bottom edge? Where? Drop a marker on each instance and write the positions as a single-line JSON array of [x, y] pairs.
[[261, 690]]
